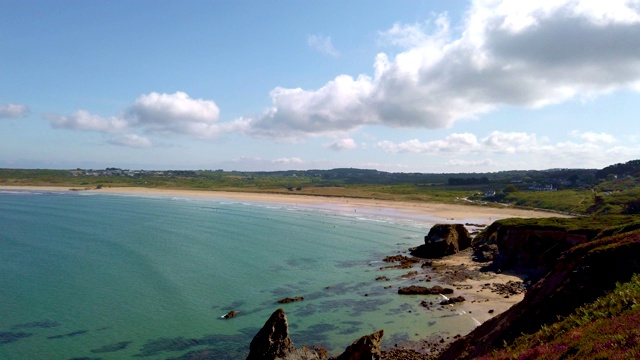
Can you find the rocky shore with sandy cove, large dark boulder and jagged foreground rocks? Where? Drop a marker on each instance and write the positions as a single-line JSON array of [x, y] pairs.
[[466, 288]]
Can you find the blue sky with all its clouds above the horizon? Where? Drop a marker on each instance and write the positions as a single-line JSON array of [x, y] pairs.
[[257, 85]]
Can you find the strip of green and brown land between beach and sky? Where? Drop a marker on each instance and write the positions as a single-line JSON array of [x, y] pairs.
[[612, 190]]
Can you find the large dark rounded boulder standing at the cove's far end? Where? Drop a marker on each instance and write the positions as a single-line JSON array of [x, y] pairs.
[[443, 240]]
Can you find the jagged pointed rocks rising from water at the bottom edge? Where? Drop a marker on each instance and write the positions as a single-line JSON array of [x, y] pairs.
[[272, 342]]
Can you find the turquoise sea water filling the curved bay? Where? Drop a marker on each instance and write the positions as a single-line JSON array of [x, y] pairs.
[[85, 275]]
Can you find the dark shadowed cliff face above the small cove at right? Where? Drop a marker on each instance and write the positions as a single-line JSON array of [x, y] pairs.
[[582, 272]]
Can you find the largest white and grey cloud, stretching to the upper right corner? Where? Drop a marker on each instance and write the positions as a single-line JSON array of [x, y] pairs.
[[508, 53]]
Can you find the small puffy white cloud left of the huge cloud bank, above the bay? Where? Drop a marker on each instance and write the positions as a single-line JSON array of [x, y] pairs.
[[155, 114]]
